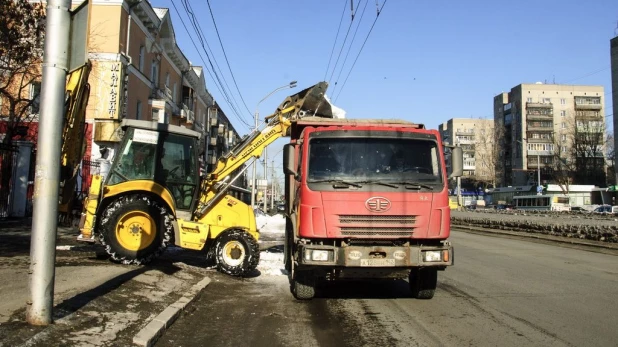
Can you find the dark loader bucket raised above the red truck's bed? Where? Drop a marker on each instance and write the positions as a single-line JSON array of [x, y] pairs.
[[309, 102]]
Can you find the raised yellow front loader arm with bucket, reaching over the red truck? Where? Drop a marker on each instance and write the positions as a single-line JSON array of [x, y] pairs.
[[308, 102]]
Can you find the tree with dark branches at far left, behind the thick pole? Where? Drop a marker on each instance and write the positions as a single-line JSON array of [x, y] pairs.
[[21, 51]]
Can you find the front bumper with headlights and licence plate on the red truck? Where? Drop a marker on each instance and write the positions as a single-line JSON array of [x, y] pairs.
[[376, 256]]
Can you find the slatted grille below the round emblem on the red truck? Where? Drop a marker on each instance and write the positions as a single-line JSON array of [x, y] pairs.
[[371, 225]]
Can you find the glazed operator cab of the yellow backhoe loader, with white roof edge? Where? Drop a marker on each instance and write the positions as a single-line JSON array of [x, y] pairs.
[[159, 153]]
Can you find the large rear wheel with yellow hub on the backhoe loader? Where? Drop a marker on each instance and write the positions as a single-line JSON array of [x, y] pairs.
[[135, 229]]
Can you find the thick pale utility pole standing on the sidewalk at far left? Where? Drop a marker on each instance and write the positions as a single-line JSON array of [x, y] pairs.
[[47, 173]]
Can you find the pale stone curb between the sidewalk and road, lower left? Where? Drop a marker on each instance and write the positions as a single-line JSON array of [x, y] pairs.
[[153, 330]]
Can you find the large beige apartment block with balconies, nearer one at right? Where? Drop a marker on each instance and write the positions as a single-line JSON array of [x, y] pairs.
[[548, 129]]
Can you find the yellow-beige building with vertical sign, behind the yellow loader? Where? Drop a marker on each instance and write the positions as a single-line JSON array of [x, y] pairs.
[[140, 72]]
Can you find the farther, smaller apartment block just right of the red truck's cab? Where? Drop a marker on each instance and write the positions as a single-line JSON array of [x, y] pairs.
[[475, 136]]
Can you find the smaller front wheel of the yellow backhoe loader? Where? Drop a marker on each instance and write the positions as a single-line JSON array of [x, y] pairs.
[[237, 253]]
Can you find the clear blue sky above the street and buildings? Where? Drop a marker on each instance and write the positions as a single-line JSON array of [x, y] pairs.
[[425, 61]]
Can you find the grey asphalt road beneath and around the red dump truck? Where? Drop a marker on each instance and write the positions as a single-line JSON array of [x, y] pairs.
[[501, 291]]
